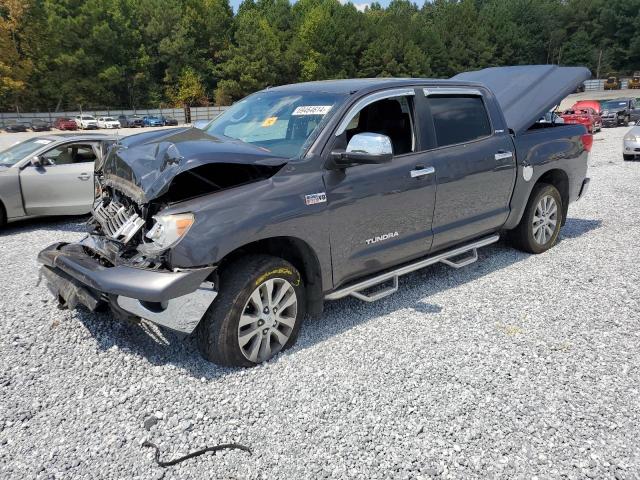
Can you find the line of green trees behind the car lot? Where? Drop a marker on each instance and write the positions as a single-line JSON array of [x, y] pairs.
[[66, 54]]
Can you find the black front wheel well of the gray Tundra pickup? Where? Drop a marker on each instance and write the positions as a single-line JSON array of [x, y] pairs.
[[296, 252]]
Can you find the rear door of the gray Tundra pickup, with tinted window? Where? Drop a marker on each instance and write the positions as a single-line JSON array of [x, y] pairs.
[[475, 165]]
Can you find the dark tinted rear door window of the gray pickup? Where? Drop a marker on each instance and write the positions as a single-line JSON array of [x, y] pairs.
[[459, 119]]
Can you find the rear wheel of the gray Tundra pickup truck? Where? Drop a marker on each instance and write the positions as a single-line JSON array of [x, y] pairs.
[[523, 237]]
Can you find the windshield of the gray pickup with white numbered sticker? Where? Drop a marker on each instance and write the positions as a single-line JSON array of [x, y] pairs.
[[281, 122]]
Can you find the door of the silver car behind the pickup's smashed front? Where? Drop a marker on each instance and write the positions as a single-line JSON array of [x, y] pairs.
[[64, 184]]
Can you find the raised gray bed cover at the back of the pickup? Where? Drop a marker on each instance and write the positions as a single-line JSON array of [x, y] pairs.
[[525, 93]]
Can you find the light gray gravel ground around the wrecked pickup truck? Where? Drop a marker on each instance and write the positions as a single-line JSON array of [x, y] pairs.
[[518, 366]]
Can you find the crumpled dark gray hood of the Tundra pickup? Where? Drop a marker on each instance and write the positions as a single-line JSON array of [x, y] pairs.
[[143, 165]]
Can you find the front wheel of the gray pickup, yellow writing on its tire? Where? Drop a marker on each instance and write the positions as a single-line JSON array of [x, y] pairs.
[[219, 332]]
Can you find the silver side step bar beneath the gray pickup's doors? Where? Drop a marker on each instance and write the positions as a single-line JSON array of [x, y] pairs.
[[449, 258]]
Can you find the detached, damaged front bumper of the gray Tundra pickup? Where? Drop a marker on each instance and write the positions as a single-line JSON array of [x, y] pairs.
[[174, 299]]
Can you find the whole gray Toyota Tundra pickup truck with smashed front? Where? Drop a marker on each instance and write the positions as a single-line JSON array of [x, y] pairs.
[[317, 191]]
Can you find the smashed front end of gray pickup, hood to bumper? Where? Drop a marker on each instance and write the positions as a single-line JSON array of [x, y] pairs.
[[124, 262]]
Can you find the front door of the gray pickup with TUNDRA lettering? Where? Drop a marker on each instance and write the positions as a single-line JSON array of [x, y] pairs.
[[380, 215]]
